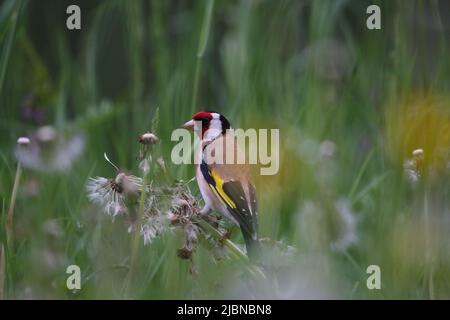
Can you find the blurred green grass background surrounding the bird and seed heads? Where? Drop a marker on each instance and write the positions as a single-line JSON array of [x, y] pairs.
[[310, 68]]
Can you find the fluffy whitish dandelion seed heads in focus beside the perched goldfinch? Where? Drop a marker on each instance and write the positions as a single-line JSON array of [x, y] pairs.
[[166, 208]]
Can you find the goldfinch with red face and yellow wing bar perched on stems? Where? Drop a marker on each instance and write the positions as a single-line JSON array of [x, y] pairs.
[[225, 187]]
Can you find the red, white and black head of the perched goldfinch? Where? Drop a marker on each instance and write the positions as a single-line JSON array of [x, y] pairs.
[[211, 123]]
